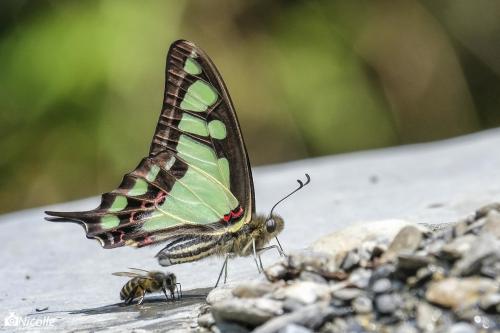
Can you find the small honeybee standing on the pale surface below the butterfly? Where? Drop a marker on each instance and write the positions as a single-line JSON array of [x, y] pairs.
[[143, 282]]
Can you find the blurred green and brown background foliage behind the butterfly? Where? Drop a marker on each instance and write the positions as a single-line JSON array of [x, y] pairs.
[[81, 82]]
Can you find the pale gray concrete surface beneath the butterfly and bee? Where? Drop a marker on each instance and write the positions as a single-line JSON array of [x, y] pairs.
[[53, 265]]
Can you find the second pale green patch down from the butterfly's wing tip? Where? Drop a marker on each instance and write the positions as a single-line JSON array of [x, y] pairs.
[[199, 96]]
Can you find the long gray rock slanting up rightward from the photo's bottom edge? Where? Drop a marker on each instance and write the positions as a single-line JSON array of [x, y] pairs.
[[311, 316]]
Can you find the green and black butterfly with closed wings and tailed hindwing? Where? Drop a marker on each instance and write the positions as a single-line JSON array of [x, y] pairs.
[[194, 192]]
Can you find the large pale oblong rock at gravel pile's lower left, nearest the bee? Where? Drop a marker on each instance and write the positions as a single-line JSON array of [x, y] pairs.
[[247, 311]]
